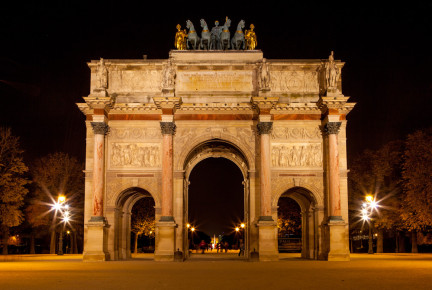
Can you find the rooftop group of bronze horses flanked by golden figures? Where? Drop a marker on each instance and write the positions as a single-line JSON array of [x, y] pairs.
[[219, 38]]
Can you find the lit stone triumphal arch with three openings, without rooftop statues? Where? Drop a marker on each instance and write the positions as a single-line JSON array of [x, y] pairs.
[[281, 121]]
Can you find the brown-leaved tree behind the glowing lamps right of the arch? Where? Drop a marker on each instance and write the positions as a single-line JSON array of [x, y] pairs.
[[378, 173]]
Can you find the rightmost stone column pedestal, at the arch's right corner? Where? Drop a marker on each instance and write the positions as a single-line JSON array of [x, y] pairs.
[[339, 250]]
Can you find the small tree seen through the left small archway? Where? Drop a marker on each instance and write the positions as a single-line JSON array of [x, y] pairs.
[[143, 219]]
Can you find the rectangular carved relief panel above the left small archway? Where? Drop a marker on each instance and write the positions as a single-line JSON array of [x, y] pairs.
[[135, 155]]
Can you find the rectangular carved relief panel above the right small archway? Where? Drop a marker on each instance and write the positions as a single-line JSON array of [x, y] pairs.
[[296, 155]]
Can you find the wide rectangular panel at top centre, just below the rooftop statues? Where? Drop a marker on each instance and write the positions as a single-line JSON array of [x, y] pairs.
[[206, 81]]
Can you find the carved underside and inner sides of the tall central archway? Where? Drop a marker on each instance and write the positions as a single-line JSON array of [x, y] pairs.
[[217, 148]]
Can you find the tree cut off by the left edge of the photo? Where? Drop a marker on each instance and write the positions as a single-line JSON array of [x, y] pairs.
[[12, 183]]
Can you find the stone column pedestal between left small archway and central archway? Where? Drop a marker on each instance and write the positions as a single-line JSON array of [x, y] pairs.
[[165, 242]]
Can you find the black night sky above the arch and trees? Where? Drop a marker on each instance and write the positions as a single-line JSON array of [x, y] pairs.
[[45, 46]]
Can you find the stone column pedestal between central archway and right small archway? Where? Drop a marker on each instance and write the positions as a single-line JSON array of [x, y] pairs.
[[267, 232]]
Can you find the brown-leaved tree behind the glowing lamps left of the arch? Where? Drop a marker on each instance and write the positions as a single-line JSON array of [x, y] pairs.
[[55, 174]]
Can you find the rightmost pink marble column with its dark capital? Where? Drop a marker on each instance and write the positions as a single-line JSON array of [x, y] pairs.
[[332, 129]]
